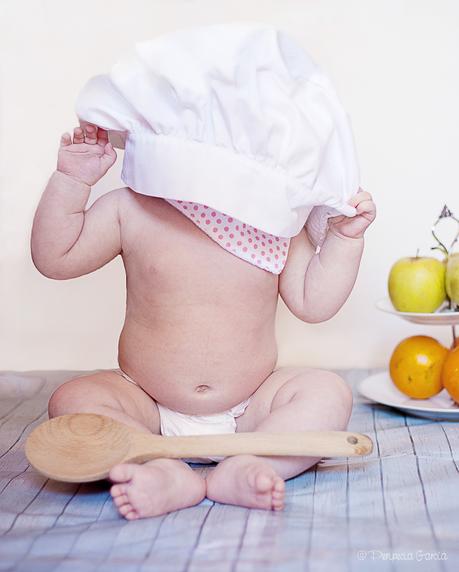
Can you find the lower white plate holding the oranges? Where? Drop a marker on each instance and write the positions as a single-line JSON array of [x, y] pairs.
[[379, 387]]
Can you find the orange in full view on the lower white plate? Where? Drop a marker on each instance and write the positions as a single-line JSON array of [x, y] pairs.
[[416, 366]]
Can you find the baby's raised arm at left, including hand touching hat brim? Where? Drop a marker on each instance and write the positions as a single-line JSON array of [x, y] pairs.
[[66, 241]]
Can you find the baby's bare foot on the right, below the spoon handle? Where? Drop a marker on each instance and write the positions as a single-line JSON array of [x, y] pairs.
[[246, 480]]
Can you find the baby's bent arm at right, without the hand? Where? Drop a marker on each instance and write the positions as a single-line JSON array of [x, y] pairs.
[[314, 286]]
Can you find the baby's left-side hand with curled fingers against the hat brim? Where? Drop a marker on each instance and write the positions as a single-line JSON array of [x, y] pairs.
[[90, 155]]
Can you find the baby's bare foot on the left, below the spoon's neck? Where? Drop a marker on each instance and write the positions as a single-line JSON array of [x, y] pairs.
[[155, 488]]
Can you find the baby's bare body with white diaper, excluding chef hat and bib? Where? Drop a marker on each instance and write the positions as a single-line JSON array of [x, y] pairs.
[[197, 352]]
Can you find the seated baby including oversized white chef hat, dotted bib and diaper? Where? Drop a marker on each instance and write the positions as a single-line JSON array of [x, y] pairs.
[[197, 353]]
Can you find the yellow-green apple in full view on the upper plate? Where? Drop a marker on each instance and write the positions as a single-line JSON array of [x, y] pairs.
[[417, 284]]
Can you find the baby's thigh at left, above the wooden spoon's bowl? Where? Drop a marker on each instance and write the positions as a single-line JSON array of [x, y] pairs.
[[105, 392]]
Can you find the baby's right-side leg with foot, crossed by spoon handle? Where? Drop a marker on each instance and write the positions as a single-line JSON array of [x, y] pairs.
[[290, 399]]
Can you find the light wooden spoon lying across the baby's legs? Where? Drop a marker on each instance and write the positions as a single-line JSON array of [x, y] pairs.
[[83, 447]]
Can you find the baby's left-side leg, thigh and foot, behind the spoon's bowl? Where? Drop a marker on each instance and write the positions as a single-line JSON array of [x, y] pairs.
[[150, 489]]
